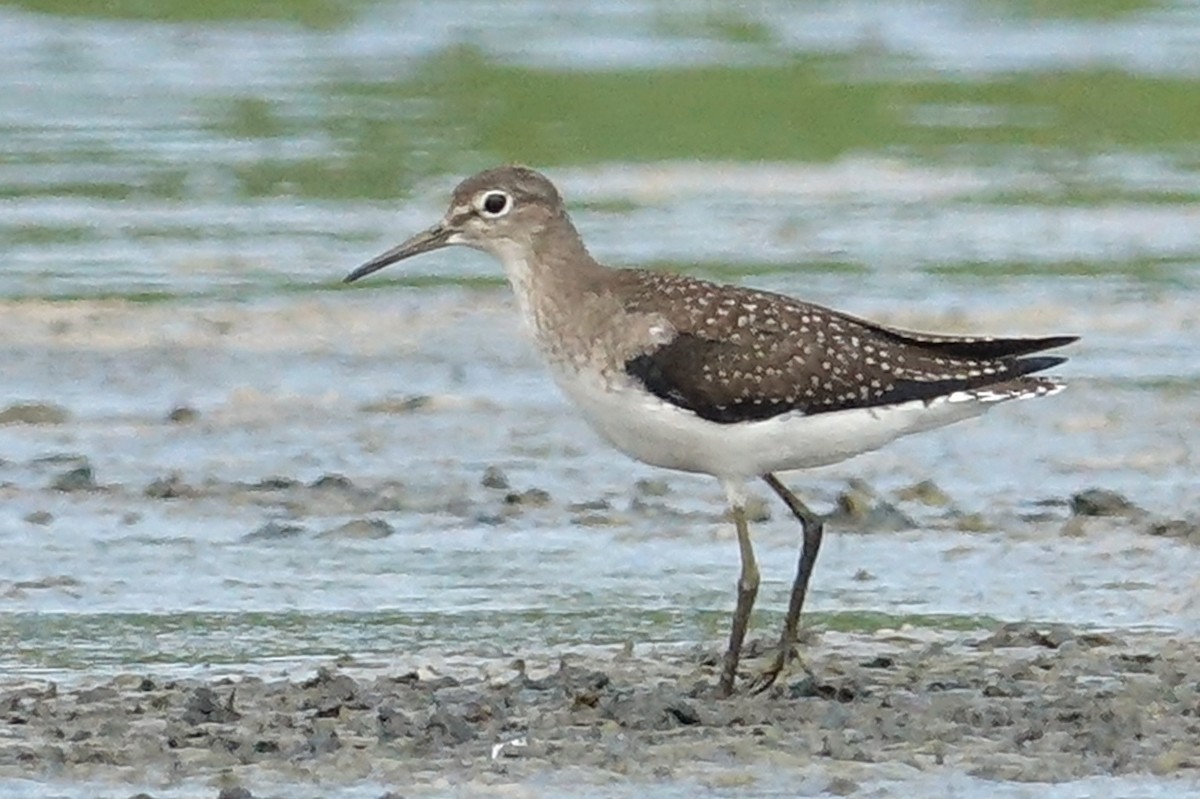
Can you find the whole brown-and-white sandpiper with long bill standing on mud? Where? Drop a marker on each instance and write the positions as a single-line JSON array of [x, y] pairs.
[[727, 381]]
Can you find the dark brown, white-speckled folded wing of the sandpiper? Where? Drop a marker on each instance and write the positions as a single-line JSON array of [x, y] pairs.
[[751, 356]]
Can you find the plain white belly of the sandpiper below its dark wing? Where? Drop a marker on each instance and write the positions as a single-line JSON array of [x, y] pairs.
[[659, 434]]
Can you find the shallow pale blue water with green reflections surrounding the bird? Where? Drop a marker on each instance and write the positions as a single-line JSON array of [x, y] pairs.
[[182, 195]]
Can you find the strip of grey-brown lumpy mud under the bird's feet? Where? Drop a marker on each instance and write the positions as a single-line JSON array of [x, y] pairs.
[[1019, 704]]
